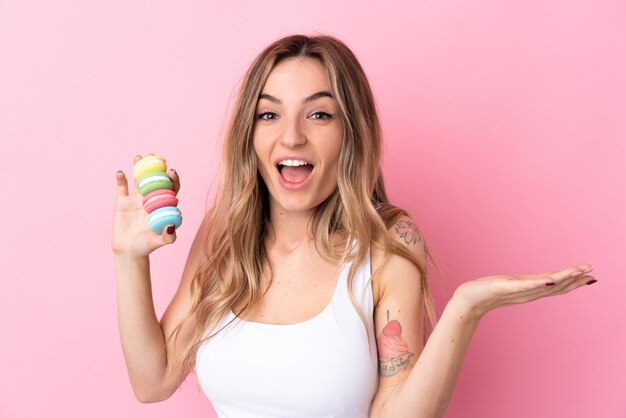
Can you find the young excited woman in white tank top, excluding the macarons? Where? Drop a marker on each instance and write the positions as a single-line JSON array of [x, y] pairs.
[[305, 291]]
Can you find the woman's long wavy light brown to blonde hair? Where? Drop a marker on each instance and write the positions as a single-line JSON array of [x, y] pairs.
[[235, 227]]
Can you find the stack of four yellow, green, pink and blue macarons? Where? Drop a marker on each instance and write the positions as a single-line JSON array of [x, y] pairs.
[[159, 199]]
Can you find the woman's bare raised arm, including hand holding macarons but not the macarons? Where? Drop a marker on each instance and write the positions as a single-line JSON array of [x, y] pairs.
[[142, 335]]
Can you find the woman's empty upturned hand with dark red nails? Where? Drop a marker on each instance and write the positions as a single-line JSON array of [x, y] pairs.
[[491, 292]]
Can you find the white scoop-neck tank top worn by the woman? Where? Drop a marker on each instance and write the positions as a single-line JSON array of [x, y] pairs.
[[323, 367]]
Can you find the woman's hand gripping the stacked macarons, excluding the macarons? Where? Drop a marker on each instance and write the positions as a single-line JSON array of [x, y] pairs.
[[131, 233]]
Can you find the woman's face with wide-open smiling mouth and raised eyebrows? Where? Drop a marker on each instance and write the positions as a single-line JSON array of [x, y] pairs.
[[297, 135]]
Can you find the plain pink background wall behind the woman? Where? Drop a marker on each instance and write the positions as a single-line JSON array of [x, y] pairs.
[[506, 140]]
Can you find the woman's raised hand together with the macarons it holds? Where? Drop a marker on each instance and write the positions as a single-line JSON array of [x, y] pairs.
[[147, 218]]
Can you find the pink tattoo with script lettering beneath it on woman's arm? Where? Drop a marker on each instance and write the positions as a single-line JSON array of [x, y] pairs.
[[393, 351]]
